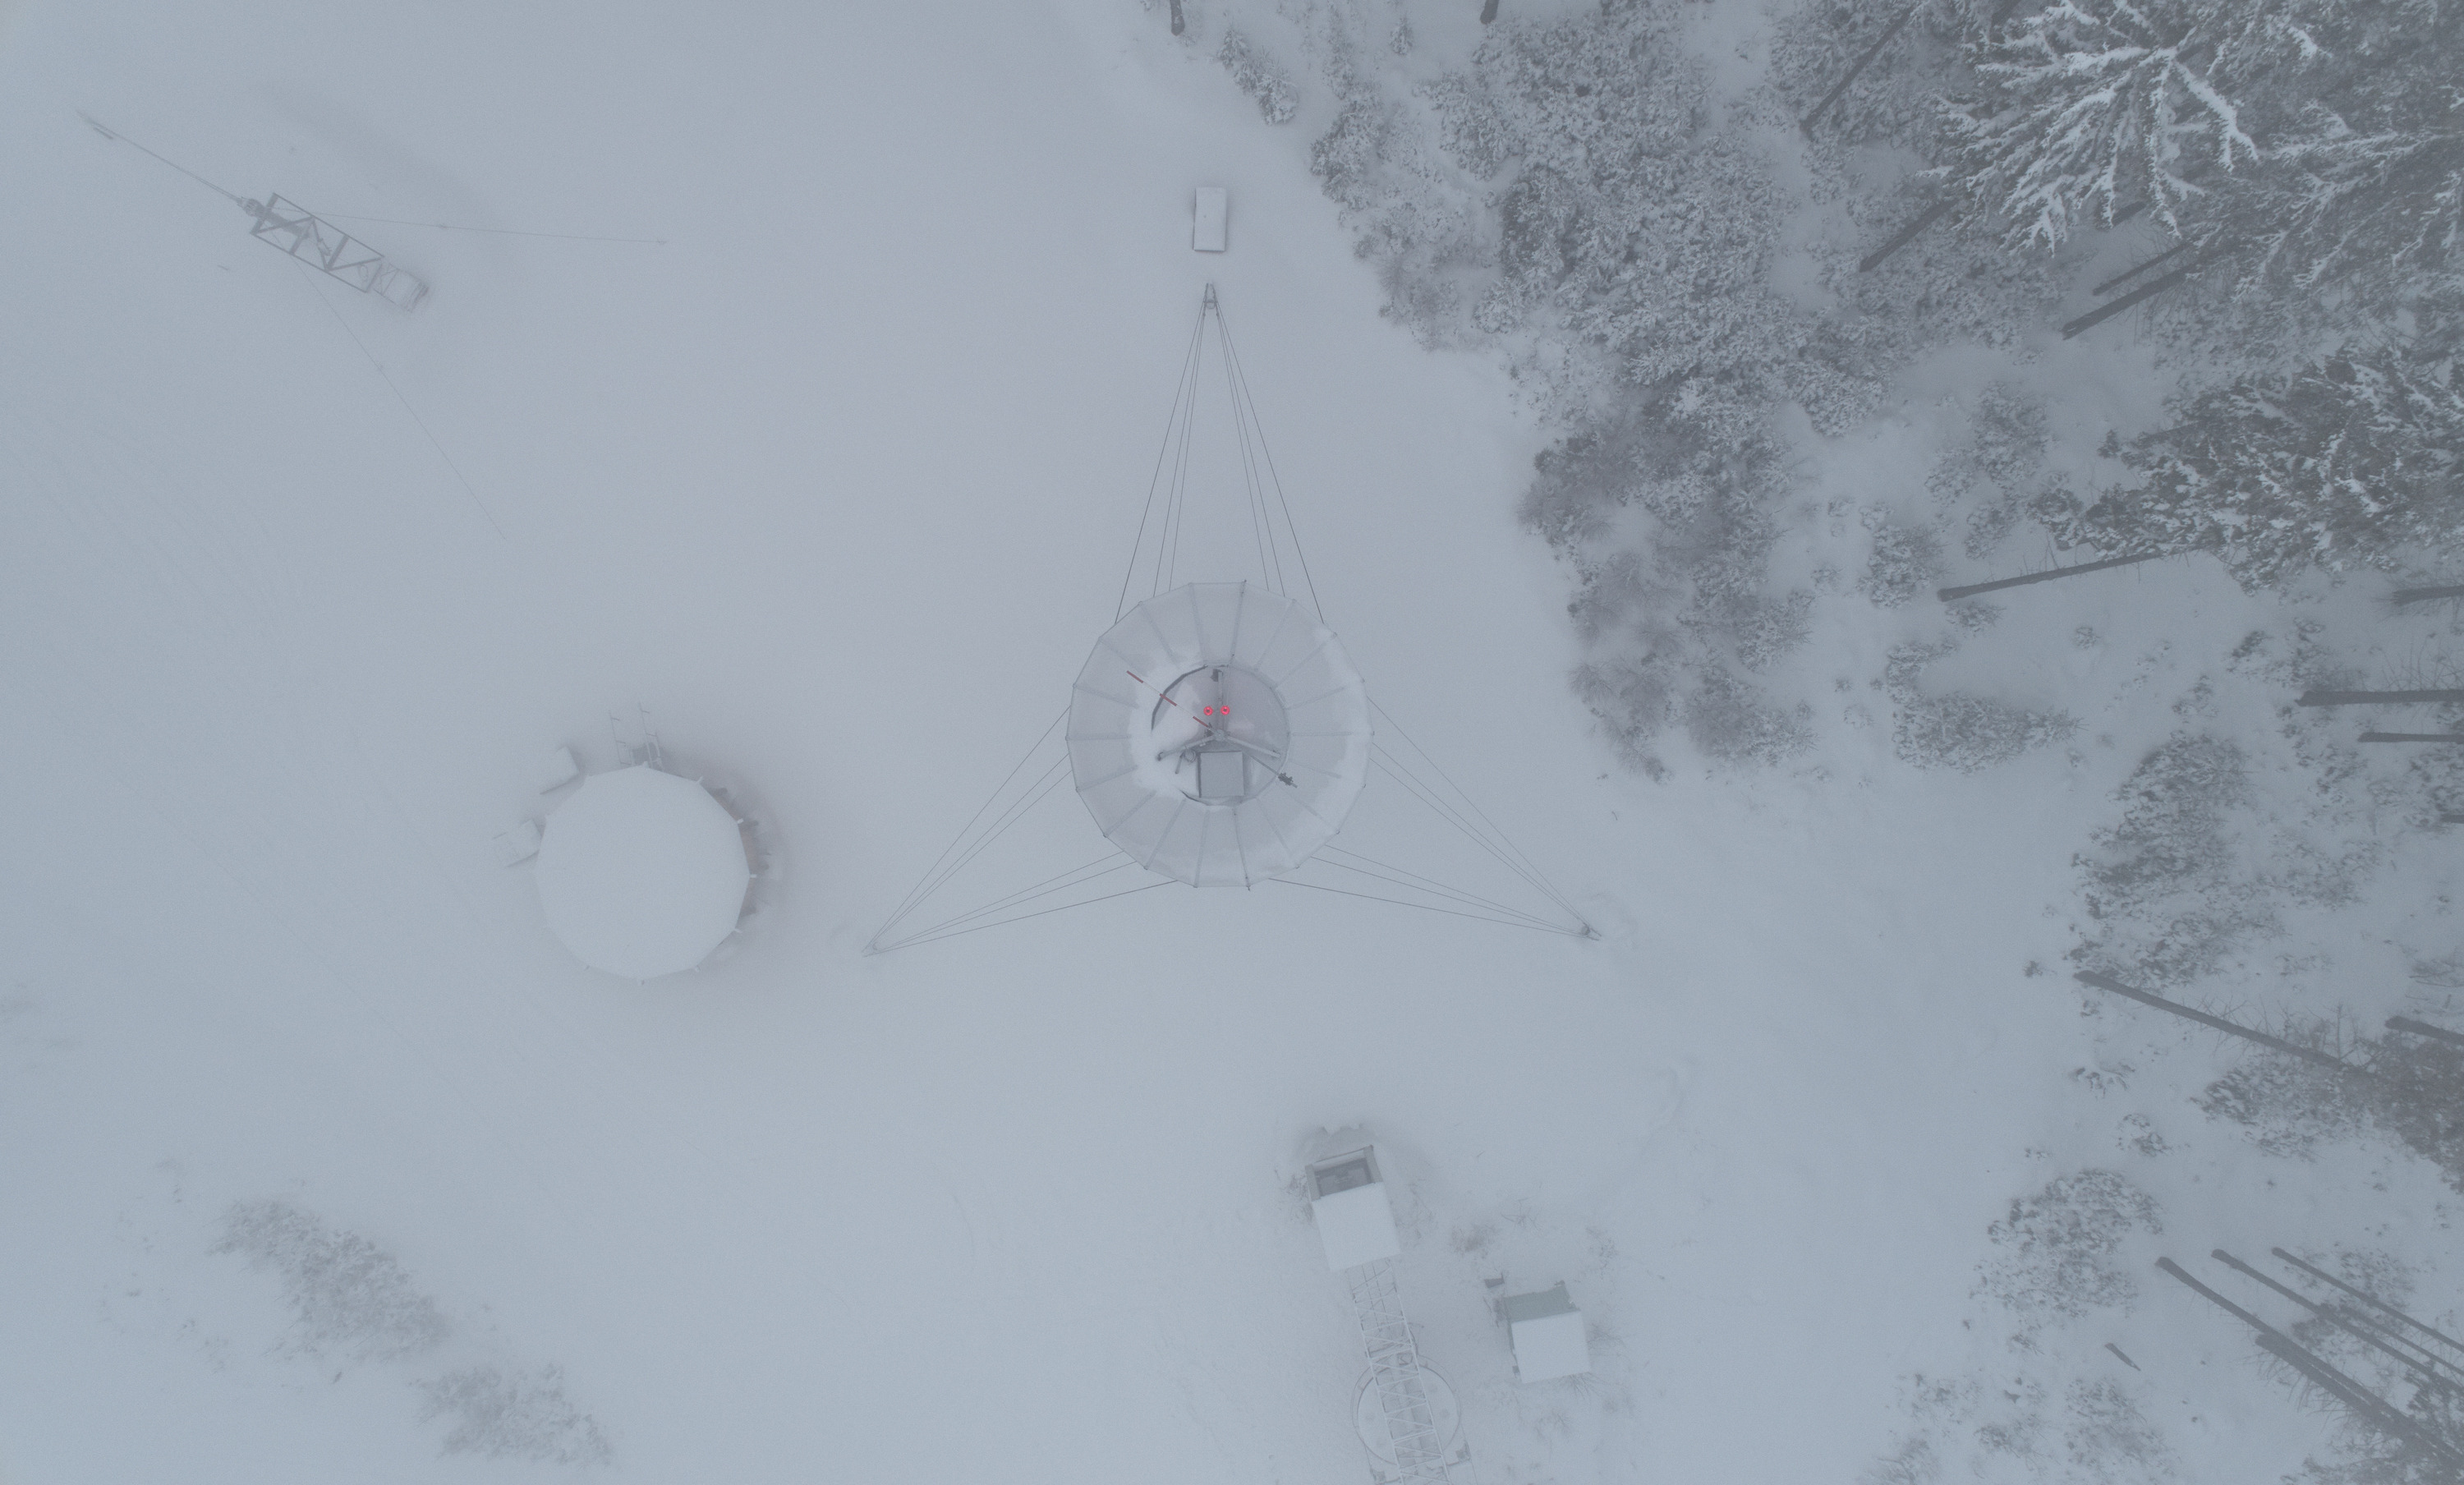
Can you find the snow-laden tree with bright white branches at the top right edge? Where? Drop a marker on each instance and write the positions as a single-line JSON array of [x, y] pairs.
[[2098, 105]]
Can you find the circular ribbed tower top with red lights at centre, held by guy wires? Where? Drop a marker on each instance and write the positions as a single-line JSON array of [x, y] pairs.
[[1302, 725]]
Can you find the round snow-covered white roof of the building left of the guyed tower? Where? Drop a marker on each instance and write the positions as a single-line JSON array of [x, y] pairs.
[[642, 873]]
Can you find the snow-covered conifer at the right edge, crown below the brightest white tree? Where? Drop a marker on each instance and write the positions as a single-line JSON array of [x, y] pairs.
[[2349, 462]]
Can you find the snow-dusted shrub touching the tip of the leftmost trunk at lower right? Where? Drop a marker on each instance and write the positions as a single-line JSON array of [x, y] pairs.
[[2061, 1247]]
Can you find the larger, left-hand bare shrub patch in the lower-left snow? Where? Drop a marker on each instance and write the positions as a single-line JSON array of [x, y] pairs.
[[349, 1297]]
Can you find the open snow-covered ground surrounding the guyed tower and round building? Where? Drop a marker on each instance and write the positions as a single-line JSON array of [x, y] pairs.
[[326, 1164]]
